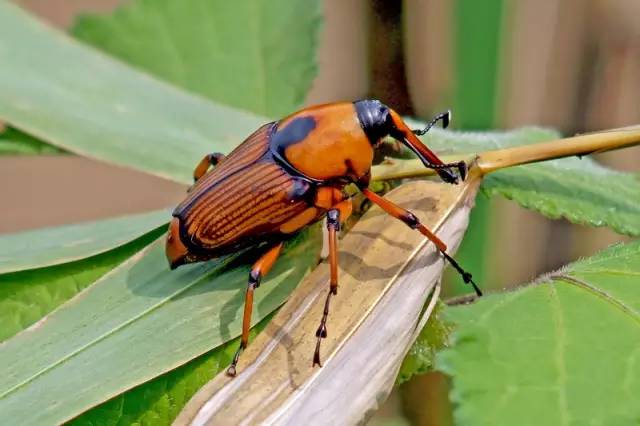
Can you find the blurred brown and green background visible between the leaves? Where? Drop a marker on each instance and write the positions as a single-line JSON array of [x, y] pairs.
[[568, 64]]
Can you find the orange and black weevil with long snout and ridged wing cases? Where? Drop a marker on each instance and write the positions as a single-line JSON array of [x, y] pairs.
[[287, 175]]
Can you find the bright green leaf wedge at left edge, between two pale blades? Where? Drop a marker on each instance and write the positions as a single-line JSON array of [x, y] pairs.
[[27, 296]]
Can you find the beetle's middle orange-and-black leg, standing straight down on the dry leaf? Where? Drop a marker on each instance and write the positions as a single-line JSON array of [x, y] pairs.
[[333, 226]]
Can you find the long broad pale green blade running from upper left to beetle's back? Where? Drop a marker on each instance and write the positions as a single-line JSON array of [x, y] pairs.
[[76, 98]]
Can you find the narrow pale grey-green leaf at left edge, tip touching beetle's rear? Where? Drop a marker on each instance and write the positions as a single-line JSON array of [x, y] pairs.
[[62, 244]]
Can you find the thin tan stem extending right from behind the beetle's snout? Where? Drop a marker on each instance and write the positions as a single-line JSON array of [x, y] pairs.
[[491, 161]]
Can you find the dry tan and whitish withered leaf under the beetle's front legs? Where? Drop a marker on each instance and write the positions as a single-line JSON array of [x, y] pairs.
[[386, 274]]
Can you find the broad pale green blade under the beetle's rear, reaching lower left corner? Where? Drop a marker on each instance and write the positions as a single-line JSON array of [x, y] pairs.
[[137, 322]]
